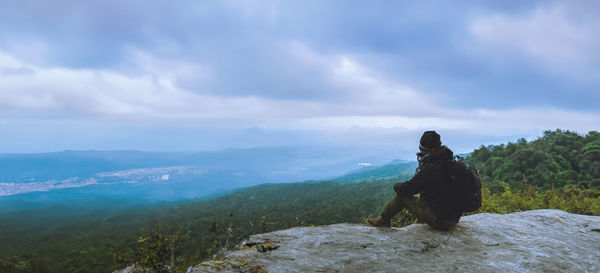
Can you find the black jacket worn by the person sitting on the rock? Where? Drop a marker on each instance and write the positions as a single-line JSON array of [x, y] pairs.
[[430, 181]]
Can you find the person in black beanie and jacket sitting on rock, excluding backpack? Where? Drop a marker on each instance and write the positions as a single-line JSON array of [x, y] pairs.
[[430, 181]]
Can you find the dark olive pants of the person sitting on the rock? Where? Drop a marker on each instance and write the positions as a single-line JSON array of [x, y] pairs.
[[419, 208]]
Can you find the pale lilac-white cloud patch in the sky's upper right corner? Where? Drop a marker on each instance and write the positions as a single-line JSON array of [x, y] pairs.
[[549, 33]]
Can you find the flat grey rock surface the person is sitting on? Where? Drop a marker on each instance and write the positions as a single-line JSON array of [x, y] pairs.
[[531, 241]]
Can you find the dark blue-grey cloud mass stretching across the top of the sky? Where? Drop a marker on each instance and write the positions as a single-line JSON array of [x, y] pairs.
[[243, 47]]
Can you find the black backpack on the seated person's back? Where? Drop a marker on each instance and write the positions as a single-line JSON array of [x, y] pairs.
[[464, 184]]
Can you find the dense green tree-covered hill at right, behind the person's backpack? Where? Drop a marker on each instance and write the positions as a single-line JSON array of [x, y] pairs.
[[558, 158]]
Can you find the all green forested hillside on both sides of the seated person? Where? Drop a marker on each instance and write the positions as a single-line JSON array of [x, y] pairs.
[[520, 175]]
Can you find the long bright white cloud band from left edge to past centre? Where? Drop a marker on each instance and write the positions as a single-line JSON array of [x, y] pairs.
[[159, 89]]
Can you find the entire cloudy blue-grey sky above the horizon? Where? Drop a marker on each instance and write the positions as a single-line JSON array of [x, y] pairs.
[[205, 75]]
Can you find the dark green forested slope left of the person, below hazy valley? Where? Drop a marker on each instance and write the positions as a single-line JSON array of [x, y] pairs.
[[107, 243]]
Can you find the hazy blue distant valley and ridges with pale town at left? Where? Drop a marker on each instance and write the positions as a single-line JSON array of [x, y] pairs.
[[166, 176]]
